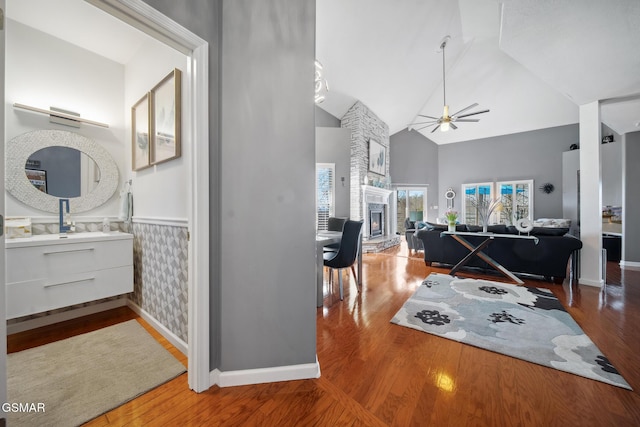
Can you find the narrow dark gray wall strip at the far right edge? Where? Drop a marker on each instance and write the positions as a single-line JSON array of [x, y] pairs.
[[631, 199]]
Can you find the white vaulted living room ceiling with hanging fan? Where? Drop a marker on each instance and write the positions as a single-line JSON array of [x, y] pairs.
[[531, 62]]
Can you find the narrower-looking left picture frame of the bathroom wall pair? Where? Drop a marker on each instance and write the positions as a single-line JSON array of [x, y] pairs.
[[141, 129]]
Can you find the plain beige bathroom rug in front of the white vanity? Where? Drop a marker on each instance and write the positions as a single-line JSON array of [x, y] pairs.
[[69, 382]]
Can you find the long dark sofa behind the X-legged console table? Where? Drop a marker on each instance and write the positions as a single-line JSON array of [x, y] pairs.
[[549, 258]]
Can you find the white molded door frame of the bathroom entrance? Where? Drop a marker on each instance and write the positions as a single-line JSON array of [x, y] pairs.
[[195, 127]]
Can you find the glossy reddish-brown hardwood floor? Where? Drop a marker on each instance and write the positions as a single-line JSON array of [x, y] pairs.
[[375, 373]]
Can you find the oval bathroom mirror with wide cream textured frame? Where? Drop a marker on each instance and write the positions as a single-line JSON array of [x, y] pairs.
[[28, 189]]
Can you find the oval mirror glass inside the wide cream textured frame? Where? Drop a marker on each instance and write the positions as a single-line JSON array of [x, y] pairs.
[[62, 172]]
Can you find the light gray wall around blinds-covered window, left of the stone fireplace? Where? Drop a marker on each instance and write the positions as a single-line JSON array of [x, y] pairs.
[[333, 145]]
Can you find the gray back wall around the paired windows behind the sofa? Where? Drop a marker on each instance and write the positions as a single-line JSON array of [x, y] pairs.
[[533, 155]]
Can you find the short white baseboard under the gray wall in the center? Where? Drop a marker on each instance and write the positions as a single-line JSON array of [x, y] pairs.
[[265, 375]]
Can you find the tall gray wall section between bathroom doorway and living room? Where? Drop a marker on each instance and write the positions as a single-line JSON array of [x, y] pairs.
[[262, 177]]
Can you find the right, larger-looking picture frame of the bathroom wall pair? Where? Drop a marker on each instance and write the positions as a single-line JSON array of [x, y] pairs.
[[166, 113]]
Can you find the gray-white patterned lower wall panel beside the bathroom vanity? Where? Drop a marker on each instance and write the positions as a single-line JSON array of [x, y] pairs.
[[160, 274]]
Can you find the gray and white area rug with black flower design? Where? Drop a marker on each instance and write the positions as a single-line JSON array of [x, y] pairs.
[[523, 322]]
